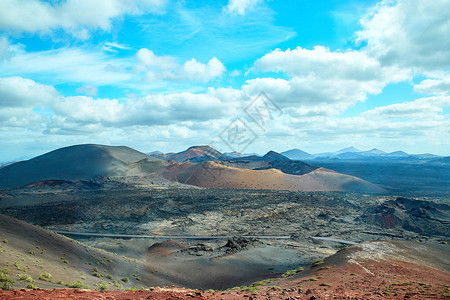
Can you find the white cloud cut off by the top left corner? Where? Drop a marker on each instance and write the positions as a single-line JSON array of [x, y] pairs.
[[74, 16]]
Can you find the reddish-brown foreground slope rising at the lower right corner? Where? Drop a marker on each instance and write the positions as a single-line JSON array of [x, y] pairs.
[[371, 270]]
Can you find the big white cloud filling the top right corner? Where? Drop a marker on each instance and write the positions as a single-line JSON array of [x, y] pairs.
[[409, 33]]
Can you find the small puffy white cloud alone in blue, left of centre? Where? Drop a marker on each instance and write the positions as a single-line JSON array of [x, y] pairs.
[[166, 68]]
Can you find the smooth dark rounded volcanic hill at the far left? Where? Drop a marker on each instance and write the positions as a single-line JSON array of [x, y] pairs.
[[80, 162]]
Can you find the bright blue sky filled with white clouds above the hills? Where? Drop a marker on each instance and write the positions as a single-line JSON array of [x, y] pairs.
[[239, 75]]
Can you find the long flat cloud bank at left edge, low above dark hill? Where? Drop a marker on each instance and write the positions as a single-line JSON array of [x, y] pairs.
[[88, 112]]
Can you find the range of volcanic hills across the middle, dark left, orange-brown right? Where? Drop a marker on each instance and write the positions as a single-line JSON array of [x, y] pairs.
[[200, 166]]
